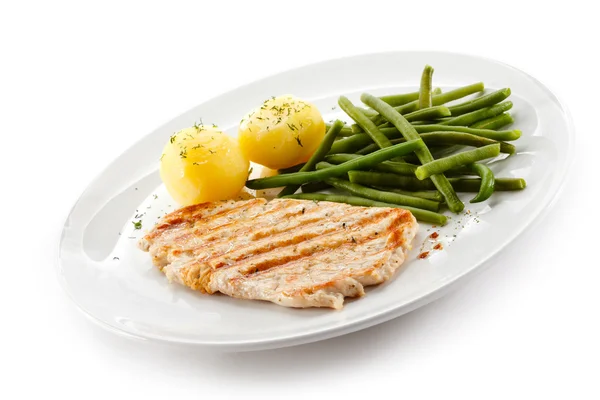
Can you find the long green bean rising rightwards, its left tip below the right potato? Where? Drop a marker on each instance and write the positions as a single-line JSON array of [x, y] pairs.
[[369, 161]]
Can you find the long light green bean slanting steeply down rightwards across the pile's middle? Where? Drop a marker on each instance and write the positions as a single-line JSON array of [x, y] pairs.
[[409, 133]]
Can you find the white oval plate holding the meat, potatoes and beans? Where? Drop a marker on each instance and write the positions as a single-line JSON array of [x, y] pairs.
[[114, 282]]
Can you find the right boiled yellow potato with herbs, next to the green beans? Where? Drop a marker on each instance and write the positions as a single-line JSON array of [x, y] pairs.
[[284, 131]]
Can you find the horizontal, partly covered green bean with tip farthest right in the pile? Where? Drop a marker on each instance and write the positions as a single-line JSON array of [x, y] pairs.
[[411, 183]]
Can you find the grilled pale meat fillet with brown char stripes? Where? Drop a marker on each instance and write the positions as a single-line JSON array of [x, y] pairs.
[[295, 253]]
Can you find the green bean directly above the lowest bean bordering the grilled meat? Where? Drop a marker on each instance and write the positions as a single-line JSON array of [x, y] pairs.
[[385, 197]]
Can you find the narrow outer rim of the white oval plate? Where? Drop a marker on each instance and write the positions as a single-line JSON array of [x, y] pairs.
[[378, 316]]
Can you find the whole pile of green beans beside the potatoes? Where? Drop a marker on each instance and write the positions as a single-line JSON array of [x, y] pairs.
[[412, 150]]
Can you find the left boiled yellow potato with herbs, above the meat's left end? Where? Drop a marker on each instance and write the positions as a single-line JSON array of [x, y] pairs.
[[202, 164]]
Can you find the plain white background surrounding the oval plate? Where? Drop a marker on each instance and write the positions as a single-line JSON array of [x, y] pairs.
[[81, 82]]
